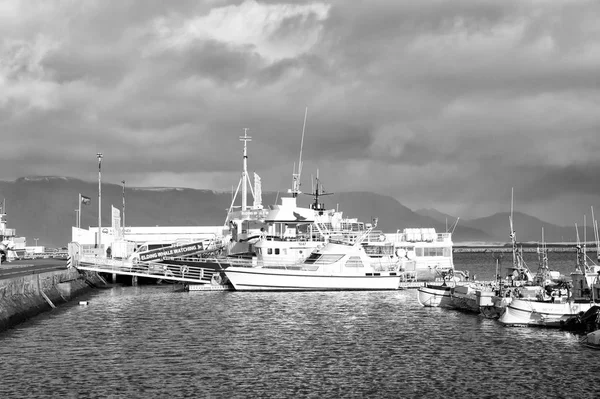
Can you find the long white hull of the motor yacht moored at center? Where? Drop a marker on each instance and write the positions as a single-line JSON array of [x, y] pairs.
[[266, 279]]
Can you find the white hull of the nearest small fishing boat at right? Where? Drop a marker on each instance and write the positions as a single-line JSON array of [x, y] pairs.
[[541, 314]]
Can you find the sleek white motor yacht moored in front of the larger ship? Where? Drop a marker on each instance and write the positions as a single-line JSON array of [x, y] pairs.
[[338, 265]]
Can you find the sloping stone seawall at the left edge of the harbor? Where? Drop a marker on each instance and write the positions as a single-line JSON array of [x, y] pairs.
[[24, 297]]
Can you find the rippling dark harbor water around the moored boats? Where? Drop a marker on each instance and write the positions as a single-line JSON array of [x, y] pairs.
[[151, 341]]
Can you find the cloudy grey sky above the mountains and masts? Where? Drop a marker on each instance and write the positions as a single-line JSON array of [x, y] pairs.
[[439, 104]]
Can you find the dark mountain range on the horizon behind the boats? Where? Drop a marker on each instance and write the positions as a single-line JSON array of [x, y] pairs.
[[44, 208]]
